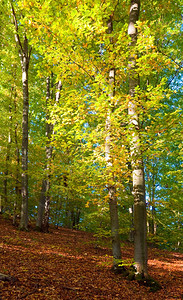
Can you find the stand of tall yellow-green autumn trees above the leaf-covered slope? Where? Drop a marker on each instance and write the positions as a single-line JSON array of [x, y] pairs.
[[91, 97]]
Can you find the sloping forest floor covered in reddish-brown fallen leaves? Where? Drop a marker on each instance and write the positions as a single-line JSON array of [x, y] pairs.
[[69, 264]]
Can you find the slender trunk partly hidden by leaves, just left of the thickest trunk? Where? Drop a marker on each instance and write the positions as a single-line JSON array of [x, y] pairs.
[[116, 249]]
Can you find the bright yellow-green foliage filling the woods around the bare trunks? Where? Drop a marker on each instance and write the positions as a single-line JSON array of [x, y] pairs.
[[70, 39]]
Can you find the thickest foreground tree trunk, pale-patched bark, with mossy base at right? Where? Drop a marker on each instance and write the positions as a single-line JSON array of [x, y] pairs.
[[140, 243]]
